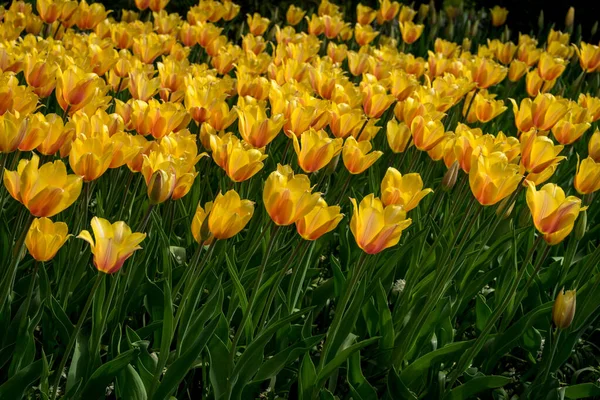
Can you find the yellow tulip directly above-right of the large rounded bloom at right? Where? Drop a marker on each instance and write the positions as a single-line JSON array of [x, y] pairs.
[[538, 152]]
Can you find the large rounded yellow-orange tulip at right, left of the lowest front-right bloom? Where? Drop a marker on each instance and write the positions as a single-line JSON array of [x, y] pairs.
[[492, 178]]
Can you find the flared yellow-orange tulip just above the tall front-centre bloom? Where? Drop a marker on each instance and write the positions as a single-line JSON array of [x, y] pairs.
[[315, 149]]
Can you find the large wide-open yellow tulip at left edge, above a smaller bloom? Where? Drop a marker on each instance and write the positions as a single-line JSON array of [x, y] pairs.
[[45, 190]]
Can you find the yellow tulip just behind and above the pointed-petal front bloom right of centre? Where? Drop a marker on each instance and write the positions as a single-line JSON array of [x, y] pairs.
[[406, 191]]
